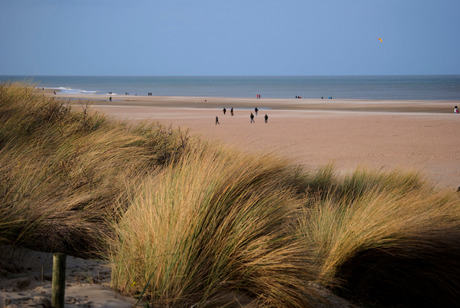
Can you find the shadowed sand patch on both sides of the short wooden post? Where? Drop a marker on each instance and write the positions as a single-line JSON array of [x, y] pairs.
[[25, 281]]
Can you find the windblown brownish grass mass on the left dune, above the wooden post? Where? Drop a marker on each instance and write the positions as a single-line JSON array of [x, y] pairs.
[[62, 171]]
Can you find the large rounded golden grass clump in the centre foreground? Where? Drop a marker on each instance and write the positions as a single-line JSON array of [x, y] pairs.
[[214, 223]]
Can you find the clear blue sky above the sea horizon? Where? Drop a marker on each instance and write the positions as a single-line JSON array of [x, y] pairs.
[[221, 37]]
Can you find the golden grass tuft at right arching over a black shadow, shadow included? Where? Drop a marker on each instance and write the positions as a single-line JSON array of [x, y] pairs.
[[397, 243]]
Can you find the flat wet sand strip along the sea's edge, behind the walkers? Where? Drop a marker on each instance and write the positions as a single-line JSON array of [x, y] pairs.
[[429, 106]]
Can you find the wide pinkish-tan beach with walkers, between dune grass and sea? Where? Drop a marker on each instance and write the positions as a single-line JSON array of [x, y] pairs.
[[381, 135]]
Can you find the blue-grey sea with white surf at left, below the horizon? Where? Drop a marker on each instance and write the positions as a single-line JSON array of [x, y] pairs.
[[436, 87]]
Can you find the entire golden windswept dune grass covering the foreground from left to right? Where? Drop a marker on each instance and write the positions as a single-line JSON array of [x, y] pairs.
[[187, 223]]
